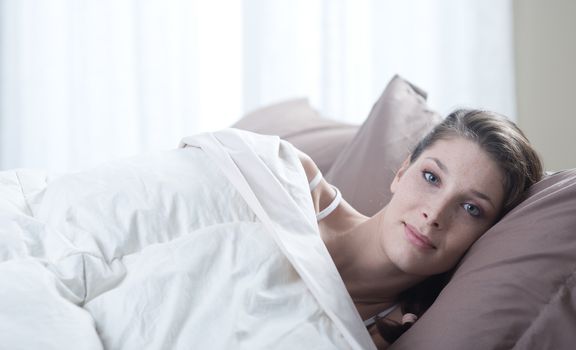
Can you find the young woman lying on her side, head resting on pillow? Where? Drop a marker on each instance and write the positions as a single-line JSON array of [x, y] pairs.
[[459, 180]]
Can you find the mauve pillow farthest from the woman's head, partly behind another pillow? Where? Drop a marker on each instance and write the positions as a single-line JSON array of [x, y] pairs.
[[298, 123]]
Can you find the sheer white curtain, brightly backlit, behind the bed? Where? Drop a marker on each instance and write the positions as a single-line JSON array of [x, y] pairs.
[[84, 81]]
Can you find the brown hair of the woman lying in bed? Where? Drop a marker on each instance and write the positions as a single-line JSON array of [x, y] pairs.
[[505, 143]]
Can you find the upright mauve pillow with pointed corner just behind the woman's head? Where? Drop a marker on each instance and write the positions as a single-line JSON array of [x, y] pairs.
[[365, 169]]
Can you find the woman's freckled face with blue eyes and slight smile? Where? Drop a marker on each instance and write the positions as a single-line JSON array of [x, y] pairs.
[[441, 204]]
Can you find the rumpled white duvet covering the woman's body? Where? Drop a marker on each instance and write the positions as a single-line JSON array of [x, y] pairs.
[[210, 246]]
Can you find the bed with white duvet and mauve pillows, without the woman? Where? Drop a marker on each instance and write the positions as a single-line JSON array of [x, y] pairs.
[[141, 252]]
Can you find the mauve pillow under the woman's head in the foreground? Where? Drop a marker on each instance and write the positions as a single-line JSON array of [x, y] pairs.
[[516, 287]]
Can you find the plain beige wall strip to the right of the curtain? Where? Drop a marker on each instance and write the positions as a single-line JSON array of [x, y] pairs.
[[545, 57]]
